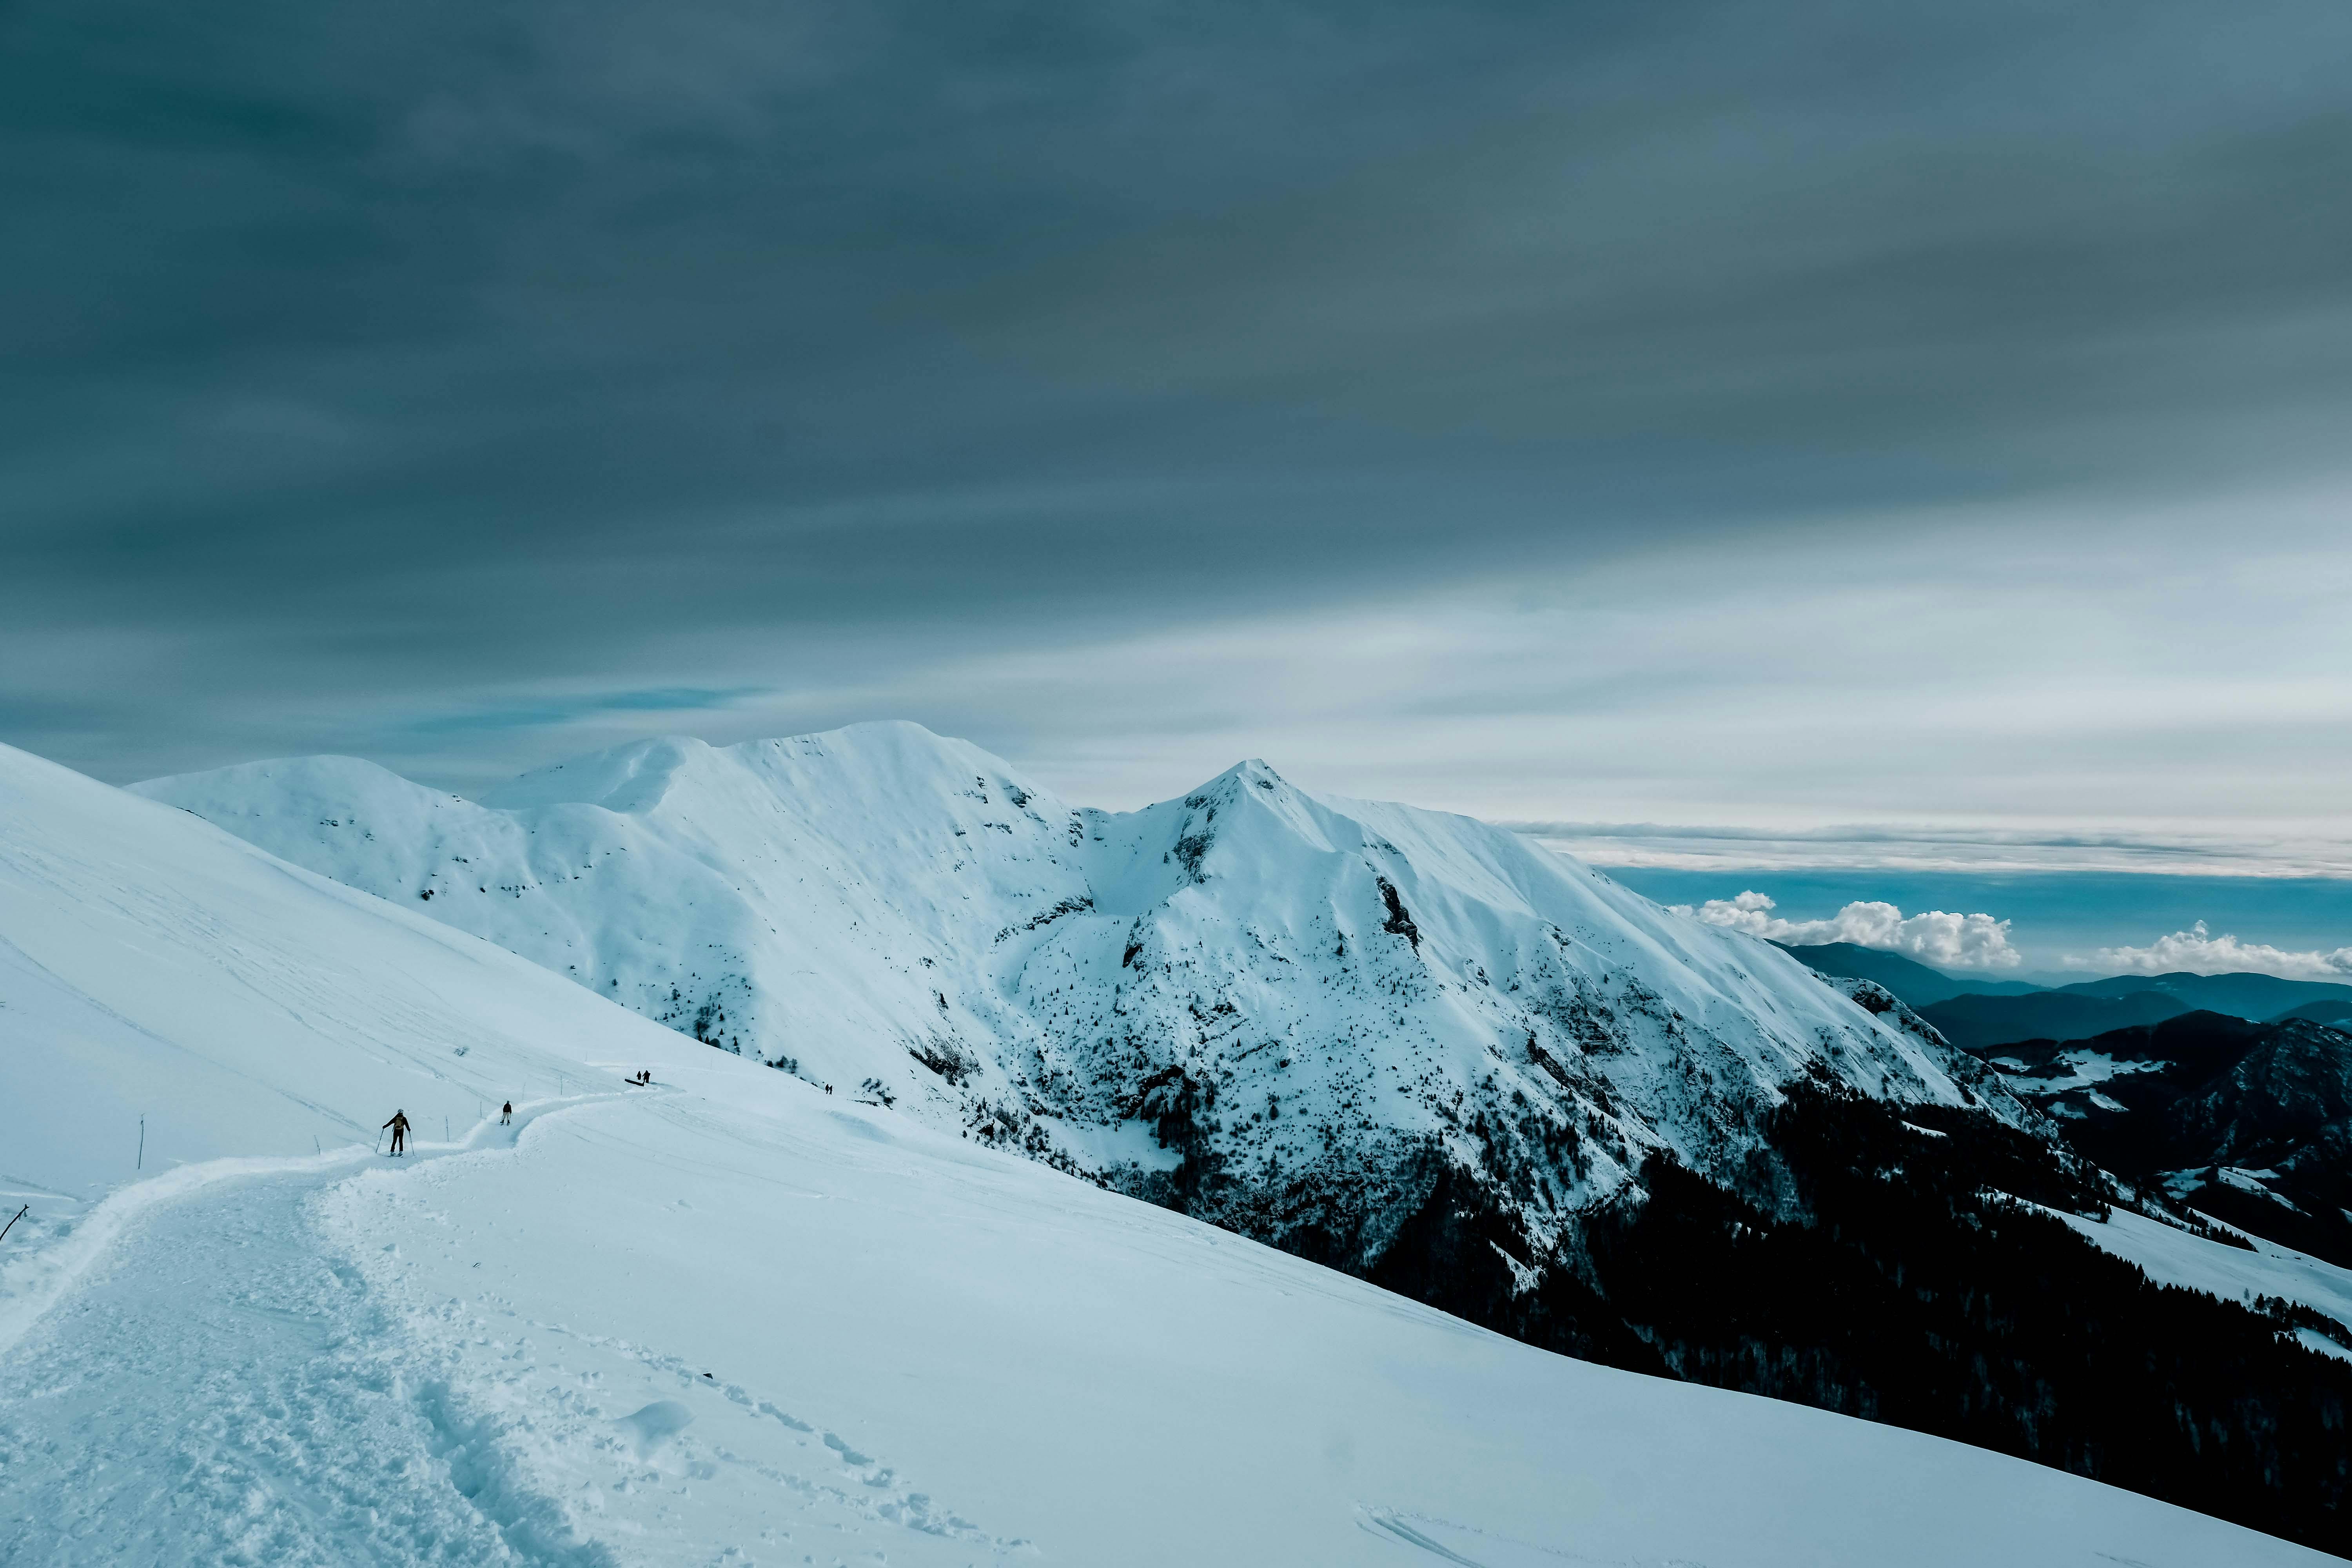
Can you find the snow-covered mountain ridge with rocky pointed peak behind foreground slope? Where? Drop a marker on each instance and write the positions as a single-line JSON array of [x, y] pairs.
[[1276, 1010]]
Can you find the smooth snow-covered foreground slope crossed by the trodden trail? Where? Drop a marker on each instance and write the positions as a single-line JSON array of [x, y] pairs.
[[735, 1320]]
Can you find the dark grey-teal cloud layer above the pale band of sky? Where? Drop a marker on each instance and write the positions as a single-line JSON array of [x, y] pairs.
[[370, 375]]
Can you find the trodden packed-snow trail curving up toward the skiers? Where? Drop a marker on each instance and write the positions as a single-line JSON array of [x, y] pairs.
[[220, 1388]]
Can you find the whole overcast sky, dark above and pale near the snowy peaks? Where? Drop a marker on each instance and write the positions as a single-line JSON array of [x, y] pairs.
[[1869, 424]]
